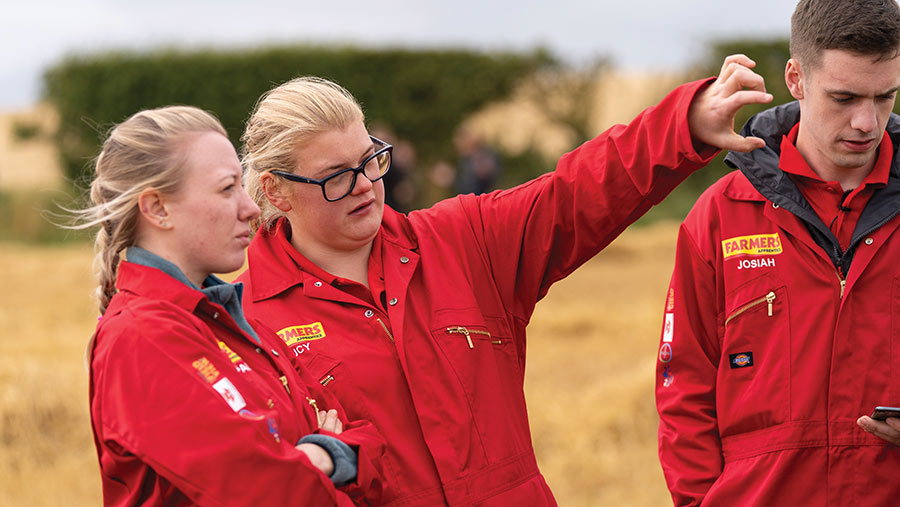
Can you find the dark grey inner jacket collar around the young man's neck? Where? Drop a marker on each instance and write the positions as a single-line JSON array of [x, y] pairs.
[[761, 168]]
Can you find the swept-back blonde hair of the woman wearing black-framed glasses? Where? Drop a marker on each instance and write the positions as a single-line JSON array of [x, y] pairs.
[[283, 119]]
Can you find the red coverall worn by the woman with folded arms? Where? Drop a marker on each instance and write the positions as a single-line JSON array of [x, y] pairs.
[[188, 409]]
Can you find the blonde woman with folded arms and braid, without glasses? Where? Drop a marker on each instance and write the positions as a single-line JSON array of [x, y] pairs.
[[191, 403]]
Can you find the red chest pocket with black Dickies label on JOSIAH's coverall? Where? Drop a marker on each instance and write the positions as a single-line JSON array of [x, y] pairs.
[[753, 384]]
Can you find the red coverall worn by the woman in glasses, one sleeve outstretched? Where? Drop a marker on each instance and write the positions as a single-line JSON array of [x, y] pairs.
[[439, 369]]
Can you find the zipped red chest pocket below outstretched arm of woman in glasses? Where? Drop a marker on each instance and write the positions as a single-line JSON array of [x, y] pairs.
[[480, 351]]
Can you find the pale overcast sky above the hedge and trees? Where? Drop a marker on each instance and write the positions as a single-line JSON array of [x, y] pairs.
[[646, 35]]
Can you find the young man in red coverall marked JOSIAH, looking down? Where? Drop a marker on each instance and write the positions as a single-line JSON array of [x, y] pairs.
[[782, 320]]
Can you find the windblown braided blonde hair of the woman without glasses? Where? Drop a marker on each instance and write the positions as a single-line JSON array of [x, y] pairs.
[[140, 153]]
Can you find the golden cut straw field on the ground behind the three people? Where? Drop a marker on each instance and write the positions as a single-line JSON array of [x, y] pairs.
[[589, 380]]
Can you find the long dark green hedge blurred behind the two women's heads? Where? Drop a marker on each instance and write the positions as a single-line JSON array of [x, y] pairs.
[[422, 95]]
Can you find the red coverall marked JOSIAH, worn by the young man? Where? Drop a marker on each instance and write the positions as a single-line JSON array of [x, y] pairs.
[[775, 341]]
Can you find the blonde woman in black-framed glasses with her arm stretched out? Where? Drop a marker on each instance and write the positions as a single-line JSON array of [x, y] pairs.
[[417, 322]]
